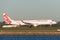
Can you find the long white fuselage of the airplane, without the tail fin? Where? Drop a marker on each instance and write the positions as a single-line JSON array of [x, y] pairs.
[[35, 22]]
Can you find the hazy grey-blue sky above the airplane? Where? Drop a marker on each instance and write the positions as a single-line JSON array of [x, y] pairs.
[[30, 9]]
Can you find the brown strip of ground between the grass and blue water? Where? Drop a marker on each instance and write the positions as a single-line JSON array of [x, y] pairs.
[[30, 33]]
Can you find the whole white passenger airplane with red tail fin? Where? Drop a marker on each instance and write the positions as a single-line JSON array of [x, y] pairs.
[[34, 23]]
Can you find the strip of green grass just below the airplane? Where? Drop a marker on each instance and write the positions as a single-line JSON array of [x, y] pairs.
[[26, 28]]
